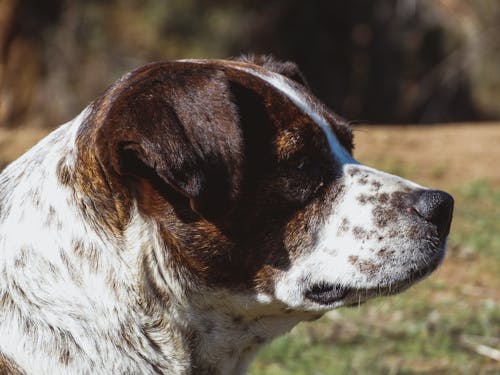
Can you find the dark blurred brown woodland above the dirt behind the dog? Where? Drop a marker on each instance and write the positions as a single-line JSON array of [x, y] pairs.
[[383, 61]]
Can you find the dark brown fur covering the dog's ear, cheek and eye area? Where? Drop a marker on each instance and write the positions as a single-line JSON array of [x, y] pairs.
[[231, 170]]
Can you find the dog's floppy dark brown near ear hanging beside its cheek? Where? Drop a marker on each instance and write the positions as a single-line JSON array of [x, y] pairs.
[[182, 125]]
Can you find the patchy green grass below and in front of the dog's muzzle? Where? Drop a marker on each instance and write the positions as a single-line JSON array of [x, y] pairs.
[[422, 330]]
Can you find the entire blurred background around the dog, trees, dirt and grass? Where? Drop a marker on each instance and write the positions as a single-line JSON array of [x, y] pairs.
[[431, 63]]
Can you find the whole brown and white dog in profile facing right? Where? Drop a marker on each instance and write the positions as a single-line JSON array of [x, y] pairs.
[[188, 216]]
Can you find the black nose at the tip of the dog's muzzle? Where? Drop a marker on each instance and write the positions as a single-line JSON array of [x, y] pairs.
[[436, 207]]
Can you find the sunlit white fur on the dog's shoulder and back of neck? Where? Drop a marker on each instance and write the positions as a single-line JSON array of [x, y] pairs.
[[81, 314]]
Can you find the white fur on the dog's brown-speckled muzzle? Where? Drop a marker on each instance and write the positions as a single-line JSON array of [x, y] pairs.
[[330, 261]]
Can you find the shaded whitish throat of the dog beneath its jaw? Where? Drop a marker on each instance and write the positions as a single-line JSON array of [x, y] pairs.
[[213, 331]]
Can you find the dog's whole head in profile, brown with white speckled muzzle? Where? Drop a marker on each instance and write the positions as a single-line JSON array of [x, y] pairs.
[[251, 189]]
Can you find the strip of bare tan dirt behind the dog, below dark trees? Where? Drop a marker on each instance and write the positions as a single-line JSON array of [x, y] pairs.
[[441, 156]]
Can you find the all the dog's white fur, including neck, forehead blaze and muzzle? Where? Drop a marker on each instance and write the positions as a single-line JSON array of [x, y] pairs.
[[67, 302]]
